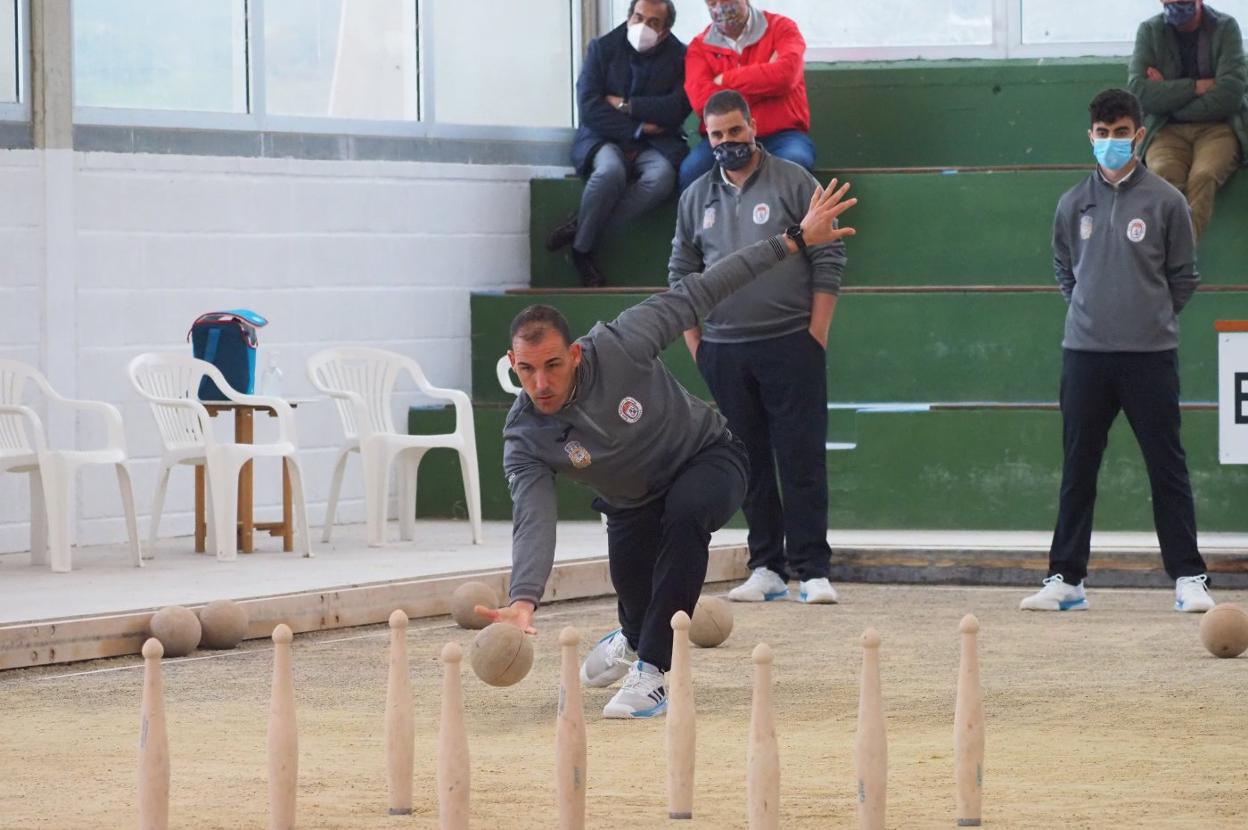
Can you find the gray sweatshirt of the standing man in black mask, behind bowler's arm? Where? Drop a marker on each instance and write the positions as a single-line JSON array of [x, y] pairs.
[[716, 219]]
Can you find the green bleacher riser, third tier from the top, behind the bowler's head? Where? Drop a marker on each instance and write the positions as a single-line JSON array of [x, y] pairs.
[[902, 348]]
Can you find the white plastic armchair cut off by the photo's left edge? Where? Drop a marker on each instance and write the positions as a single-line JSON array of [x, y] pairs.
[[24, 450]]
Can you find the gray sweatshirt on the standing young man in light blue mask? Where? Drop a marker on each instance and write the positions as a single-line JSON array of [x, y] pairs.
[[1125, 260]]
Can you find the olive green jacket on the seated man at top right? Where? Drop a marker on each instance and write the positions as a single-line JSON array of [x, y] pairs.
[[1176, 100]]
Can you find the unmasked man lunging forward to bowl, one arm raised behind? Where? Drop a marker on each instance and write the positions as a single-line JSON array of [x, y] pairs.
[[607, 414]]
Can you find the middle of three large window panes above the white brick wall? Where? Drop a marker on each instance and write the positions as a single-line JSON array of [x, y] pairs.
[[353, 59]]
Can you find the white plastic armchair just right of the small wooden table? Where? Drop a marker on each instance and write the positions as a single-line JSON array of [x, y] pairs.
[[361, 381]]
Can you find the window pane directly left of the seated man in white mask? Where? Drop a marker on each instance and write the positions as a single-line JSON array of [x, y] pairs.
[[502, 63]]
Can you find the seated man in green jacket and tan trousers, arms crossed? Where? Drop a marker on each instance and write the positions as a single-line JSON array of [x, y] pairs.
[[1190, 76]]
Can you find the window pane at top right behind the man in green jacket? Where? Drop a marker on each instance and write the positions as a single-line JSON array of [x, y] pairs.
[[1058, 22]]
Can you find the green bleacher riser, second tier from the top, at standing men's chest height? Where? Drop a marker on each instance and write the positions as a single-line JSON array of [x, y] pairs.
[[914, 229]]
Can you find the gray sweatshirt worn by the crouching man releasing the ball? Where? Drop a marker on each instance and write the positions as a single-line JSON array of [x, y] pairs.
[[630, 426]]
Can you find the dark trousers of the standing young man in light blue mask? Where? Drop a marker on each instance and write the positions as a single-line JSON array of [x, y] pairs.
[[1096, 386]]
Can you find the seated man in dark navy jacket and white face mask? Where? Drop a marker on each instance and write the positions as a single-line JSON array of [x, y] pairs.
[[632, 135]]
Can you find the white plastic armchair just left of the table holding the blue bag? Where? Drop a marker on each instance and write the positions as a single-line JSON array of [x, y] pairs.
[[172, 386]]
